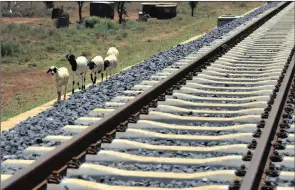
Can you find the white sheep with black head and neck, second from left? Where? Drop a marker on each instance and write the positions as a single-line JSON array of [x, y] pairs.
[[79, 68]]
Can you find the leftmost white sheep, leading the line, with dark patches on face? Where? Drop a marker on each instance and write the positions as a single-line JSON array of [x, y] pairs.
[[61, 77]]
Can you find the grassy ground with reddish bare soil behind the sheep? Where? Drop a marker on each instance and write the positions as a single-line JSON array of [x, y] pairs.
[[33, 44]]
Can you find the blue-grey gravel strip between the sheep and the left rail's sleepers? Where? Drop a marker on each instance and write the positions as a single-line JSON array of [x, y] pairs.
[[30, 131]]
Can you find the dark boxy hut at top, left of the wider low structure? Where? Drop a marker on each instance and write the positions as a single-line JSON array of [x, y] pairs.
[[102, 9]]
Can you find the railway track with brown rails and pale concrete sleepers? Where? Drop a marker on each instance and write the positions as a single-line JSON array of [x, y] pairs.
[[204, 123]]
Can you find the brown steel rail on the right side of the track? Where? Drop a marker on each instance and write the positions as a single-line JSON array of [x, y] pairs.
[[253, 176]]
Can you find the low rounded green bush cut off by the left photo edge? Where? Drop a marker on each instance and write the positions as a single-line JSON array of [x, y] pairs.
[[10, 48]]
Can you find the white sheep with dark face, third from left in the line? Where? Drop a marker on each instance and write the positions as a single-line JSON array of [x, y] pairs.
[[96, 65]]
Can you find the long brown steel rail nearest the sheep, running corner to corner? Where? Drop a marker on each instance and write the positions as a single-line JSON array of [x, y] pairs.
[[31, 176]]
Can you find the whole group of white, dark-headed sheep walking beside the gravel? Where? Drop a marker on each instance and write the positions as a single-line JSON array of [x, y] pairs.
[[80, 66]]
